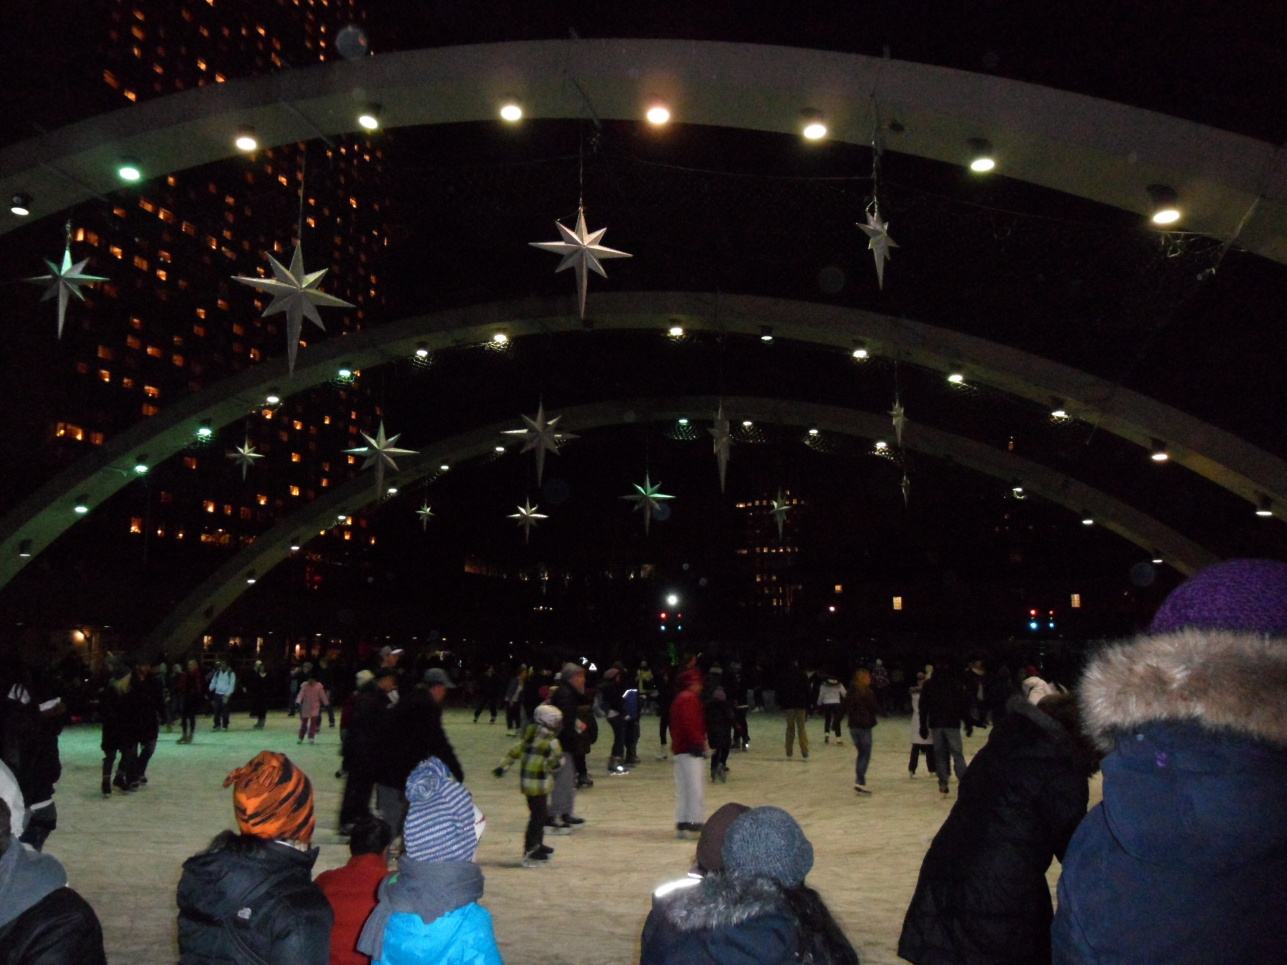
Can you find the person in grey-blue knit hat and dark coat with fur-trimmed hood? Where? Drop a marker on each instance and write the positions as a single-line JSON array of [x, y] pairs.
[[756, 912]]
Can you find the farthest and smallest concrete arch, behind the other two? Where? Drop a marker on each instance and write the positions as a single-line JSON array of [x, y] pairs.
[[222, 589]]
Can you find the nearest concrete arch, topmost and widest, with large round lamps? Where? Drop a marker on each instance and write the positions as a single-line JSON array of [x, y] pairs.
[[1231, 186]]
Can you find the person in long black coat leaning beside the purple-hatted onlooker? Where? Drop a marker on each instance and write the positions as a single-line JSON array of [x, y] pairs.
[[983, 896]]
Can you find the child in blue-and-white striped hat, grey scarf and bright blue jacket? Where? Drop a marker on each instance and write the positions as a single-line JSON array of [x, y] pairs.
[[429, 910]]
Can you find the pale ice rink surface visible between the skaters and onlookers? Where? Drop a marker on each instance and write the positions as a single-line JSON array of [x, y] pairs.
[[125, 854]]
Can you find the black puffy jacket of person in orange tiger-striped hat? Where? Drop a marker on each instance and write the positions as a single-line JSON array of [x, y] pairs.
[[250, 901]]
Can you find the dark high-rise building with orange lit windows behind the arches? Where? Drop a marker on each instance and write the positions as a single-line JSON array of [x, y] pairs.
[[172, 321]]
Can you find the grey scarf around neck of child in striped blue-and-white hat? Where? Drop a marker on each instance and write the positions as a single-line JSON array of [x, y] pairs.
[[425, 888]]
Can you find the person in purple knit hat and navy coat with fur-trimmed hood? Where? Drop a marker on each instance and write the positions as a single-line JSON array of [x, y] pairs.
[[1183, 861]]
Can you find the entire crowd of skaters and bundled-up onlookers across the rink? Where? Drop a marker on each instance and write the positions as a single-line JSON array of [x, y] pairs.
[[1176, 865]]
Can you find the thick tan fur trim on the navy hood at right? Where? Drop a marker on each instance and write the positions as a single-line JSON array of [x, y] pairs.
[[1218, 679]]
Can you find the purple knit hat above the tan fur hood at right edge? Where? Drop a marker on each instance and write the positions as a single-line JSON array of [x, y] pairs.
[[1245, 596]]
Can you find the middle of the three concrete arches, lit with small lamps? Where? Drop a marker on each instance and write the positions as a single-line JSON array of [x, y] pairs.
[[1219, 456]]
